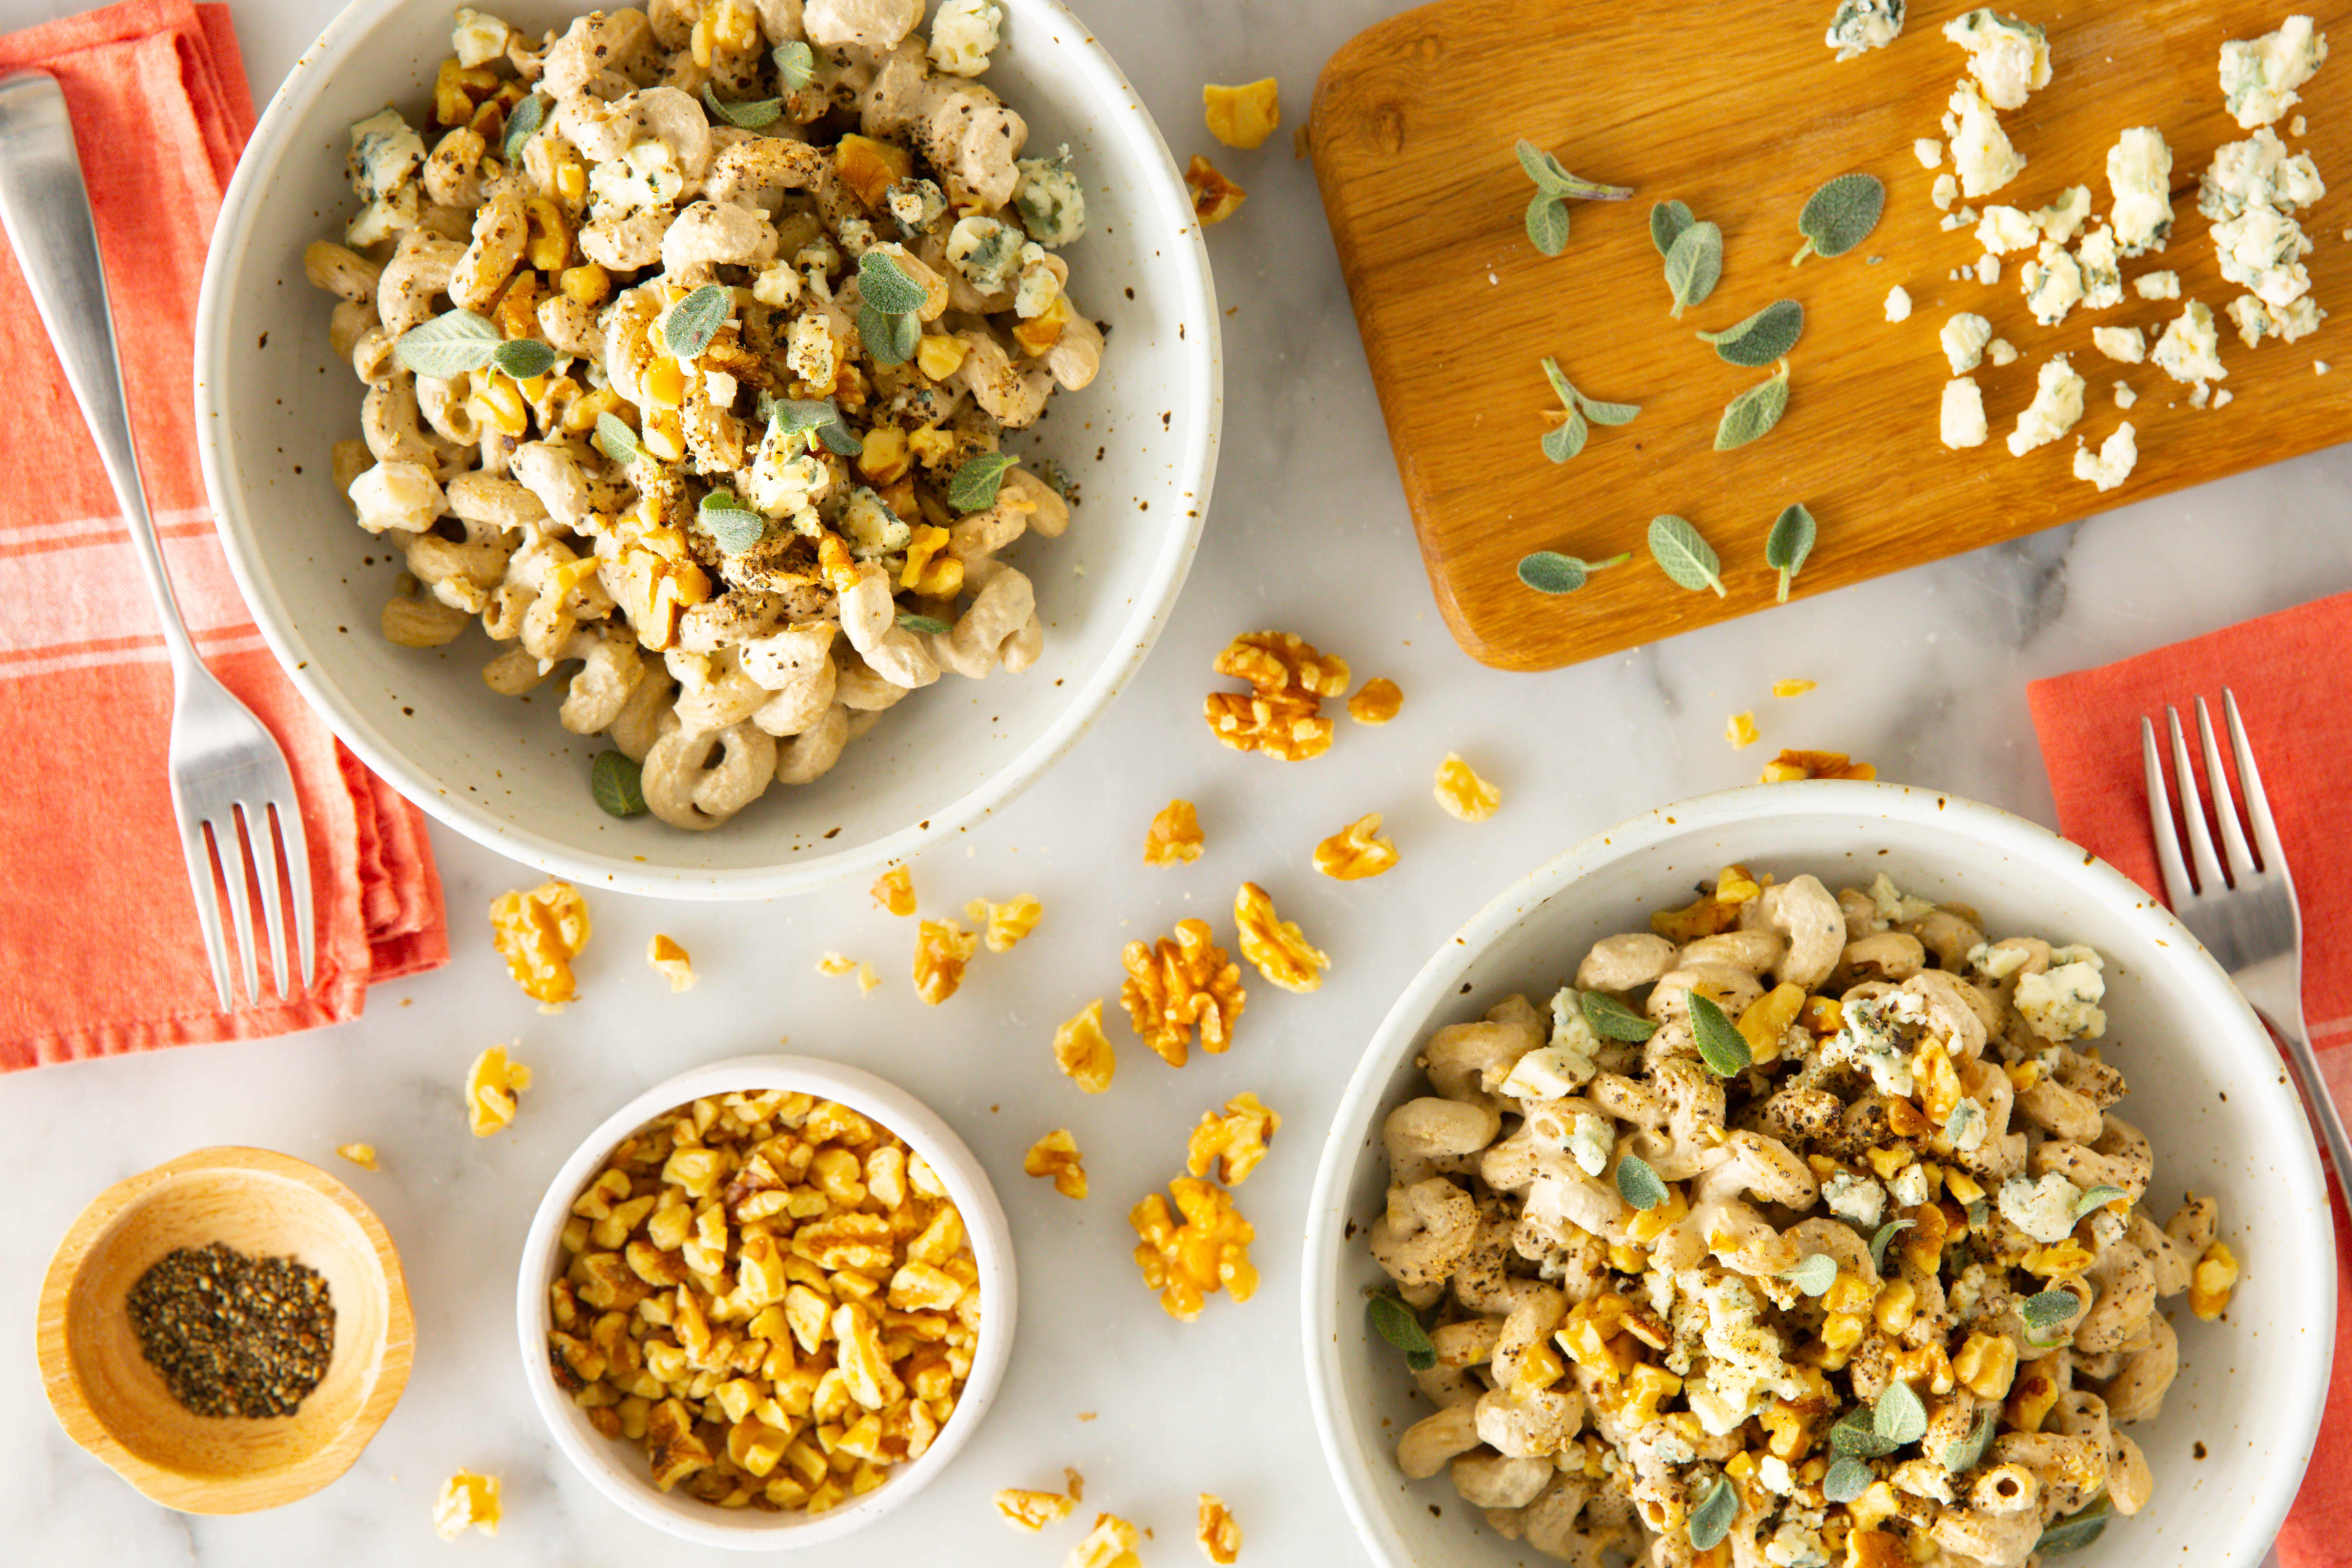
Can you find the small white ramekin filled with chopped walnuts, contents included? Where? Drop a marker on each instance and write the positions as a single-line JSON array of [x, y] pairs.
[[766, 1301]]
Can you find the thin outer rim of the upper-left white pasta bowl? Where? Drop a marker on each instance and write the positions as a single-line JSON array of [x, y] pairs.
[[1156, 173]]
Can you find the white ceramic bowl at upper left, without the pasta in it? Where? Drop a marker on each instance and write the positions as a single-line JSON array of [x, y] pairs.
[[272, 401]]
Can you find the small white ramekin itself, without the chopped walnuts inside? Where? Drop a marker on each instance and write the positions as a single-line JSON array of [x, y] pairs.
[[617, 1468]]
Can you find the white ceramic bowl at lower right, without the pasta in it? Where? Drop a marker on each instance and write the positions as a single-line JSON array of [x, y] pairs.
[[2207, 1087]]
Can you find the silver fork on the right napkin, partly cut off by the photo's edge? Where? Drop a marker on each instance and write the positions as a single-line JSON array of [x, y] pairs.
[[2240, 904]]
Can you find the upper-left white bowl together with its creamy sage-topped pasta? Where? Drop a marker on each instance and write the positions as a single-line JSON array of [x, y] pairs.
[[636, 431]]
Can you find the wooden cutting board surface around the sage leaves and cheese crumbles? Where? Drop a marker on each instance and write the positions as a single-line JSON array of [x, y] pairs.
[[1737, 109]]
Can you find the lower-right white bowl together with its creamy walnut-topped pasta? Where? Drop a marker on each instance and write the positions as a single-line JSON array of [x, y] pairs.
[[1819, 1174]]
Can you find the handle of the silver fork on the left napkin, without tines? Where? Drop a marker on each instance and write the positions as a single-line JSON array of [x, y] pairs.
[[46, 213]]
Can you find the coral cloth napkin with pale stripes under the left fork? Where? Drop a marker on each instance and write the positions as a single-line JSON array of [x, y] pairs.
[[100, 949]]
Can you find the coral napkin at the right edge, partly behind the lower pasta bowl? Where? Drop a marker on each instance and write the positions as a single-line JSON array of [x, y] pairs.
[[2294, 690]]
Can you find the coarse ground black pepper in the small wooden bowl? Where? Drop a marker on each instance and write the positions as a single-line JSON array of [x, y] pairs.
[[234, 1334]]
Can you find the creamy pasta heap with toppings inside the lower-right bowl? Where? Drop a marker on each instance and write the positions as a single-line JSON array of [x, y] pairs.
[[1800, 1233]]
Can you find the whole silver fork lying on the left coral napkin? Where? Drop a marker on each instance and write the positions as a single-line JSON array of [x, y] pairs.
[[229, 782]]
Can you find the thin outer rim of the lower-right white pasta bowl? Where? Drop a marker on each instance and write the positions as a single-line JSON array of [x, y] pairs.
[[1354, 1468]]
